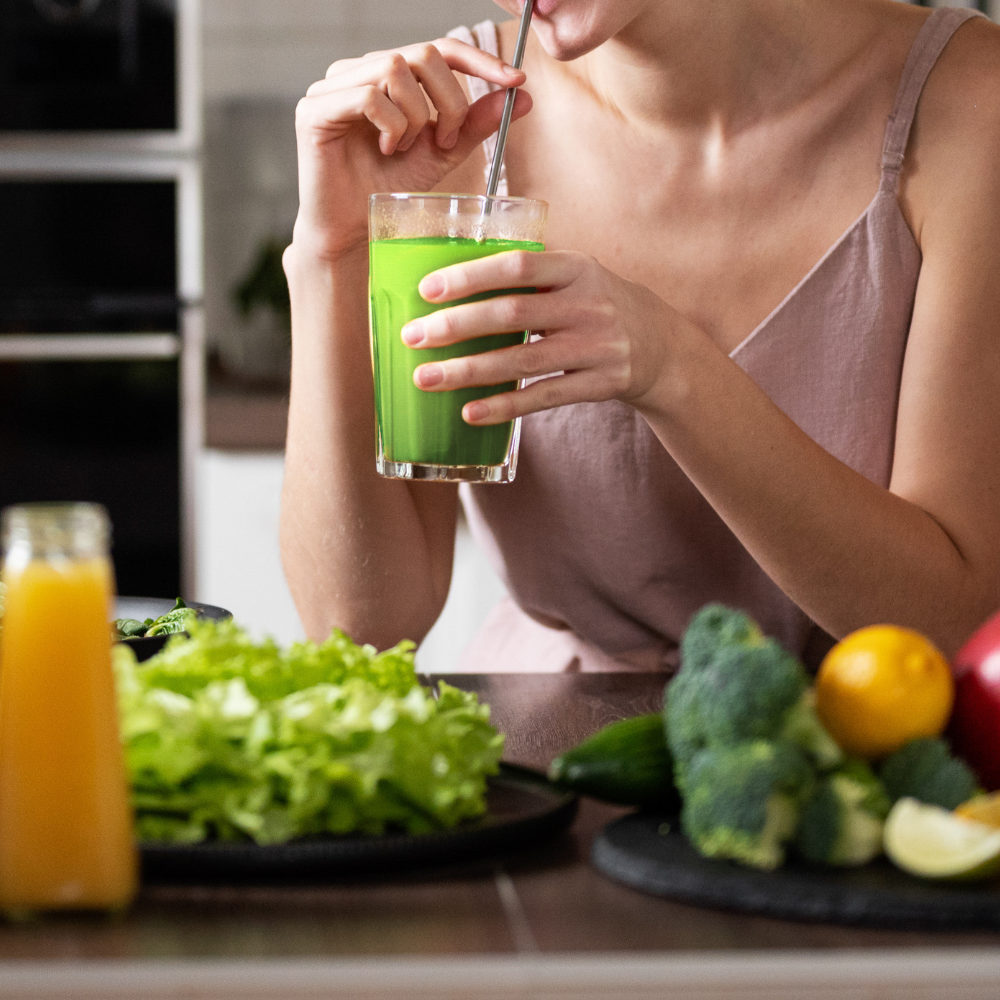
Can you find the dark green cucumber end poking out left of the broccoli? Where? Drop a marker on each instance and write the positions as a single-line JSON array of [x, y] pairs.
[[627, 763]]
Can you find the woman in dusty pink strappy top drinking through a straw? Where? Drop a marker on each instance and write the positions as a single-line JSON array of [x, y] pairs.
[[774, 315]]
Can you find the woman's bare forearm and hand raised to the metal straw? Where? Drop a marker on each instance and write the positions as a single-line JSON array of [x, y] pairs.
[[369, 555]]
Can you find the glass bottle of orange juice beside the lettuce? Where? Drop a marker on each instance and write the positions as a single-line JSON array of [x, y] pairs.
[[65, 824]]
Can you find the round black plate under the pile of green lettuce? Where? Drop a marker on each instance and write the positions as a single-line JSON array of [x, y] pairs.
[[523, 809]]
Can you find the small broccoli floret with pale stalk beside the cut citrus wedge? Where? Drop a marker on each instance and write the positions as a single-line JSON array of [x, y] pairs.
[[842, 823]]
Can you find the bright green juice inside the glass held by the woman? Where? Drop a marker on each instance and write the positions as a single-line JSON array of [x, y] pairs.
[[426, 428]]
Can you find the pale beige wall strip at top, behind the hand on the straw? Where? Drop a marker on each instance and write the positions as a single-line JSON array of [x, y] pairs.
[[276, 48]]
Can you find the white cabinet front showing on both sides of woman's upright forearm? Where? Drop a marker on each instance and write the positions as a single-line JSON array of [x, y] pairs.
[[239, 565]]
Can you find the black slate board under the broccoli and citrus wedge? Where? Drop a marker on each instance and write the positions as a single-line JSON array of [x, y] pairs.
[[632, 850]]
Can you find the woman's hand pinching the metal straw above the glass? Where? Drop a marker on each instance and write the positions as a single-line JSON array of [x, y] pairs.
[[368, 127]]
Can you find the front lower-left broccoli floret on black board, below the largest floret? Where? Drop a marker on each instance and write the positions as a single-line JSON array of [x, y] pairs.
[[742, 802]]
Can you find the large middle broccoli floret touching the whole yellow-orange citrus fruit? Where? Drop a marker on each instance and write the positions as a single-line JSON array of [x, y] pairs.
[[746, 692]]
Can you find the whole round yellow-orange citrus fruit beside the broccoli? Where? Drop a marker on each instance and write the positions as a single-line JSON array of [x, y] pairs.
[[881, 687]]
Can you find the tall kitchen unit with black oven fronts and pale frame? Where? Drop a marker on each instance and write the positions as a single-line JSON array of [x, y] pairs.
[[101, 329]]
